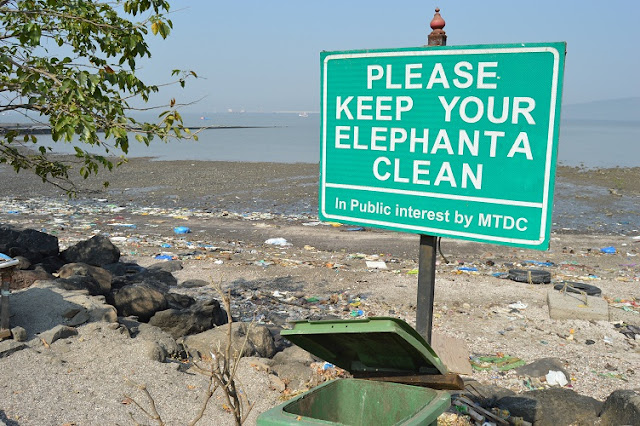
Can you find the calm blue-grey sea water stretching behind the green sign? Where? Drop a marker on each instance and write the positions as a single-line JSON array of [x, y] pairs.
[[292, 138]]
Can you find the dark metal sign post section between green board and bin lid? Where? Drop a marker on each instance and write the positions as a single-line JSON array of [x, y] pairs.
[[426, 285]]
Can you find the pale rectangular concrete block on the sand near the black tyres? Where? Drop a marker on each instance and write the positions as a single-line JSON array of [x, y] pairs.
[[573, 306]]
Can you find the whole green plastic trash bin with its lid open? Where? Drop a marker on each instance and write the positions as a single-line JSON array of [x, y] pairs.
[[368, 348]]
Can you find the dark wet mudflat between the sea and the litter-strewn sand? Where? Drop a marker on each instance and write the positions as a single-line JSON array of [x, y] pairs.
[[601, 201]]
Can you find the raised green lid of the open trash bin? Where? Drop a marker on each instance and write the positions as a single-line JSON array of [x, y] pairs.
[[376, 344]]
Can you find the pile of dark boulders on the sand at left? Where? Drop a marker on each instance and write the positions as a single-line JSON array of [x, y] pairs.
[[93, 266]]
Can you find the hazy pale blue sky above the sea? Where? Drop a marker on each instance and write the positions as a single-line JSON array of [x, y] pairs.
[[265, 55]]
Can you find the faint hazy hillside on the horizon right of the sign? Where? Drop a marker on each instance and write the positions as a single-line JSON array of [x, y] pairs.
[[625, 109]]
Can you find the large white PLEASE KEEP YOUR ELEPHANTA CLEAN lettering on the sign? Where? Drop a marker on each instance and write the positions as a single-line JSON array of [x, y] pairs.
[[418, 155]]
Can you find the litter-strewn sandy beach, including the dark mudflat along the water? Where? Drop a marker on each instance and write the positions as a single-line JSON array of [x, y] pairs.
[[236, 207]]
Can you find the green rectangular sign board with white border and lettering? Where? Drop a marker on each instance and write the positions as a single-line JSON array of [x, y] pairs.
[[457, 141]]
